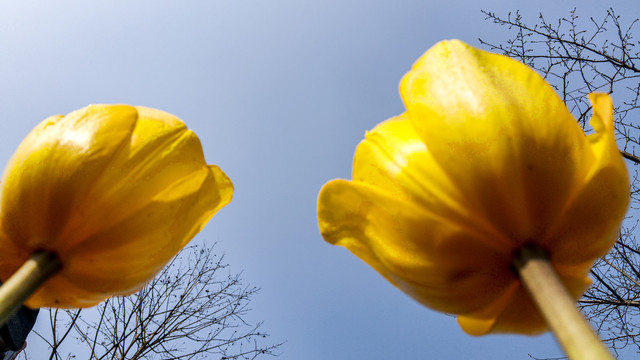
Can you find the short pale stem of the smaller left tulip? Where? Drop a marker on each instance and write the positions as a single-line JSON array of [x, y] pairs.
[[24, 282]]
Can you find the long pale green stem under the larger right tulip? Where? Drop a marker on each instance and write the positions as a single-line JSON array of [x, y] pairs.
[[558, 308]]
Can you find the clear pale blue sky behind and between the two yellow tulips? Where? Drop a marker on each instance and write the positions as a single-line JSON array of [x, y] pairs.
[[280, 93]]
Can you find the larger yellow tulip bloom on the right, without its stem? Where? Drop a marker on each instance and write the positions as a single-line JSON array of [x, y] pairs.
[[486, 159]]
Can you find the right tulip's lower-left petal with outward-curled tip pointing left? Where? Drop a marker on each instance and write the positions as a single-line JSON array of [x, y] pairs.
[[435, 261]]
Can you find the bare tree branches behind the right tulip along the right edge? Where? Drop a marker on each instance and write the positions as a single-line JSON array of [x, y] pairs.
[[579, 56]]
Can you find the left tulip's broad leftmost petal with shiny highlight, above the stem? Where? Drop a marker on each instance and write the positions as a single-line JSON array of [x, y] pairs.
[[42, 187]]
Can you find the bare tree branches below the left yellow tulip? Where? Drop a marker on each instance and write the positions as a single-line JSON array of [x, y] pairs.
[[194, 309]]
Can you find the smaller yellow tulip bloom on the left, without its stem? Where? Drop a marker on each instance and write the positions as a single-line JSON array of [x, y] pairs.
[[115, 191]]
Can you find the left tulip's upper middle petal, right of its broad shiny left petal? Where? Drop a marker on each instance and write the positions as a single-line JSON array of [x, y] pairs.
[[161, 150]]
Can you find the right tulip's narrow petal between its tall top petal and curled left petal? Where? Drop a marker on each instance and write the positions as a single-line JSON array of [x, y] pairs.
[[393, 157]]
